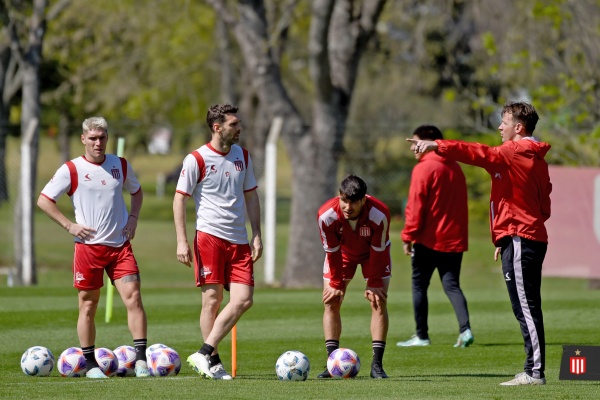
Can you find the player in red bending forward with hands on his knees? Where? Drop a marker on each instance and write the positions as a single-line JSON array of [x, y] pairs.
[[355, 230]]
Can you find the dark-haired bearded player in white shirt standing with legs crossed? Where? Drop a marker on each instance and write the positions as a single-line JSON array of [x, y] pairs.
[[220, 178]]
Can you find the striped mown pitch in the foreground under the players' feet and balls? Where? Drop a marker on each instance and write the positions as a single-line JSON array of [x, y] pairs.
[[291, 319]]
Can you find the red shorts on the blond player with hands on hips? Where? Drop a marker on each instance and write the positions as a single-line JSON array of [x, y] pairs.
[[91, 260]]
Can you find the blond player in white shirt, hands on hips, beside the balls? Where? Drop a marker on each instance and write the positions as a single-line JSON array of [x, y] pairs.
[[102, 229]]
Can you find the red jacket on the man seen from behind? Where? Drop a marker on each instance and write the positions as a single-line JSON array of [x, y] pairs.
[[437, 210]]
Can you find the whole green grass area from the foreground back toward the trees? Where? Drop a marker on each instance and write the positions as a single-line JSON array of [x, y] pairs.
[[283, 319]]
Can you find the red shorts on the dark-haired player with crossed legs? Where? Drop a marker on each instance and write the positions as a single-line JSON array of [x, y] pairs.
[[218, 261]]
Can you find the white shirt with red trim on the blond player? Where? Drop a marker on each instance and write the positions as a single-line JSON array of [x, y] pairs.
[[96, 194]]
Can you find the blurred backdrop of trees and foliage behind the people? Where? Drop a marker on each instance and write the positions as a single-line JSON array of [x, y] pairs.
[[161, 63]]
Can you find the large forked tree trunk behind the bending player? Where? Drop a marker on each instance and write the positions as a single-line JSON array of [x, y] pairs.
[[338, 36]]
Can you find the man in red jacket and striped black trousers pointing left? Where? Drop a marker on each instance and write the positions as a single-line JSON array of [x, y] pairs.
[[519, 207]]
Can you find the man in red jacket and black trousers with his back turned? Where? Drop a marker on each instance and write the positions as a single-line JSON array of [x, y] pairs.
[[435, 235]]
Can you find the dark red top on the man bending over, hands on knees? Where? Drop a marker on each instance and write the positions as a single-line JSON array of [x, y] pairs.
[[368, 240]]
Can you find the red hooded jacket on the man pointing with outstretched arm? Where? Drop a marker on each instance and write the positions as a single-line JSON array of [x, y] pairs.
[[520, 198]]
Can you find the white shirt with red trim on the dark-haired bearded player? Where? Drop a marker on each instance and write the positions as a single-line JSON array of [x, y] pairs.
[[218, 182]]
